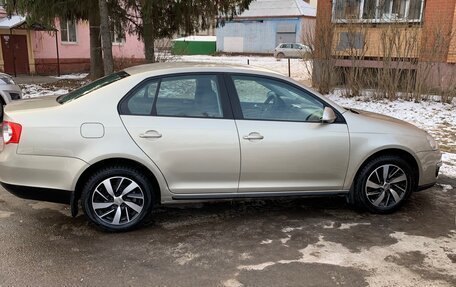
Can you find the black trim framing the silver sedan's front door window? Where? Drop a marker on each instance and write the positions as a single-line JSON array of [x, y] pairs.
[[236, 103]]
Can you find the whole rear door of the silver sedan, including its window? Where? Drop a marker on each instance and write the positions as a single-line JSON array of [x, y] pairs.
[[184, 124]]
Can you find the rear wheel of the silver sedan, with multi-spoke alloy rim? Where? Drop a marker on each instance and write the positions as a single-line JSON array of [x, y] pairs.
[[106, 207]]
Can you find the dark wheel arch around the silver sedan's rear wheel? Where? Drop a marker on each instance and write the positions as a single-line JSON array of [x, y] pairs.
[[76, 196]]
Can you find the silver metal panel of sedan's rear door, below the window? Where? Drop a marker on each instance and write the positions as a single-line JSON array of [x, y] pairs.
[[203, 159]]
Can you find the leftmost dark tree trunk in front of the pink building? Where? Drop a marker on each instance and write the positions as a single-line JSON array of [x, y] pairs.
[[96, 57]]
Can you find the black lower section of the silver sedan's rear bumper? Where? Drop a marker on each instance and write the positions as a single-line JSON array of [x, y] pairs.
[[38, 193]]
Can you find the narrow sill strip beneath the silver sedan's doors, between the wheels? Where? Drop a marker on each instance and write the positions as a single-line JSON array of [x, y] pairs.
[[221, 196]]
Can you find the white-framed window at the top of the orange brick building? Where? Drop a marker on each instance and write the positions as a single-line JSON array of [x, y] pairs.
[[377, 11]]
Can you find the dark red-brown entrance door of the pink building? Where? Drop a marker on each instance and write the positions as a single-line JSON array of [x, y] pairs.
[[15, 54]]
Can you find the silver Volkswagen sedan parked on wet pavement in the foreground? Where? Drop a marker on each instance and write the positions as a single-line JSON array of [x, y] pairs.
[[182, 132]]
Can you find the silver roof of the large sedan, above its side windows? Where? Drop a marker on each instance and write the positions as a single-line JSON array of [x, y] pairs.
[[195, 66]]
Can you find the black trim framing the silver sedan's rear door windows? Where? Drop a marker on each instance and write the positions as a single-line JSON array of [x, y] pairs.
[[227, 112]]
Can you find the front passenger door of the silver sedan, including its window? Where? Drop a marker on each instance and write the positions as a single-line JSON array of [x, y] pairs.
[[284, 145]]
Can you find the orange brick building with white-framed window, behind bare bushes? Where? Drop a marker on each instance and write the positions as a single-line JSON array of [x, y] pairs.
[[421, 31]]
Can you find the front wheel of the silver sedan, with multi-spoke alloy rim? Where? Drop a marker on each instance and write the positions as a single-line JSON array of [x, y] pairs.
[[373, 193]]
